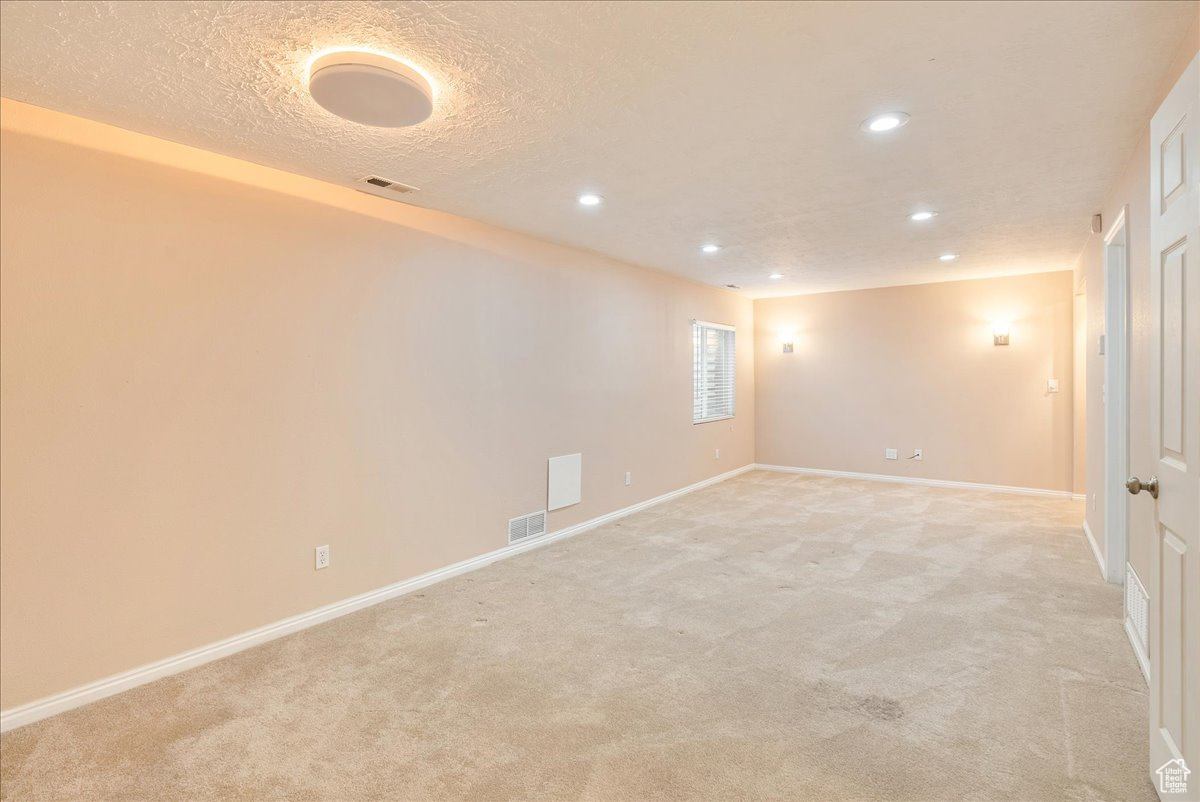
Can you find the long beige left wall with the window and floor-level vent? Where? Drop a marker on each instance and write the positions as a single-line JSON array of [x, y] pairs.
[[211, 368]]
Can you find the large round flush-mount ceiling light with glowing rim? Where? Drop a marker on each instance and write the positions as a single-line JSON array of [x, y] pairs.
[[371, 89]]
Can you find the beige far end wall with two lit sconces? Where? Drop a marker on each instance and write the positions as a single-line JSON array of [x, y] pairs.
[[916, 368]]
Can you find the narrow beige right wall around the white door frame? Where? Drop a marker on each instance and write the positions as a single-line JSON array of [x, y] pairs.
[[1130, 193]]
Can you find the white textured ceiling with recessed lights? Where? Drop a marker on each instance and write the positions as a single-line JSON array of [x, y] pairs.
[[698, 122]]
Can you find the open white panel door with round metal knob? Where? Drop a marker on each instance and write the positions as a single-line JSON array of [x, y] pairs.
[[1175, 429]]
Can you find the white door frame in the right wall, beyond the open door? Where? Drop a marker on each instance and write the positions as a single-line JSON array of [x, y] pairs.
[[1117, 398]]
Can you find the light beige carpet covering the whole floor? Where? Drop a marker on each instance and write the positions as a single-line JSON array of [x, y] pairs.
[[773, 637]]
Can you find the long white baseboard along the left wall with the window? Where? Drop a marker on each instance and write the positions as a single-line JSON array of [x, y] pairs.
[[97, 691]]
